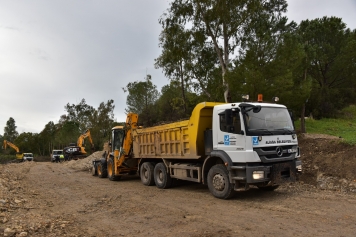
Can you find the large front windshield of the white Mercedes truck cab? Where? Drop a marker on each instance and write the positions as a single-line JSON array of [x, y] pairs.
[[269, 121]]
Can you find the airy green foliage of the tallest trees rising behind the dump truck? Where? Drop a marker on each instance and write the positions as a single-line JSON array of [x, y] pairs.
[[200, 36]]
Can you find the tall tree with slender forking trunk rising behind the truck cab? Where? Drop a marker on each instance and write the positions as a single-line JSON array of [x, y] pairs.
[[223, 23]]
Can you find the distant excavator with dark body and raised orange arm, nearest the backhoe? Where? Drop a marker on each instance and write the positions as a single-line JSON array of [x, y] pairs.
[[76, 151]]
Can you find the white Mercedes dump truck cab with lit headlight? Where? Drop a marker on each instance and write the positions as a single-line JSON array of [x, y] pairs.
[[257, 143]]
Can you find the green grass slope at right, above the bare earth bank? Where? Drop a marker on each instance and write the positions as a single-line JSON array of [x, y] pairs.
[[344, 126]]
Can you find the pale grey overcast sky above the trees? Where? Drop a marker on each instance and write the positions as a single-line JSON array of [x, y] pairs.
[[61, 51]]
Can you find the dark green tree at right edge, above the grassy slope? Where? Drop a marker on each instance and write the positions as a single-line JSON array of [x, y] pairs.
[[330, 48]]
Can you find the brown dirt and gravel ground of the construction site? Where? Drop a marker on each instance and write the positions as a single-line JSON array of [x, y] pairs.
[[41, 198]]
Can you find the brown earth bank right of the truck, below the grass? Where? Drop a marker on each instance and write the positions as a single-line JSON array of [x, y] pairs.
[[328, 162]]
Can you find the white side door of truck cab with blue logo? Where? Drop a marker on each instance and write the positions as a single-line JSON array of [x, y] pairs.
[[230, 137]]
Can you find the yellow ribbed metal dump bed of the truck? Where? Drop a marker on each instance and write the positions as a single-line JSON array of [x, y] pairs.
[[179, 140]]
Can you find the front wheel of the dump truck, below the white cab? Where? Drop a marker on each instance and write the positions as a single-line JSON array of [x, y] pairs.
[[218, 182]]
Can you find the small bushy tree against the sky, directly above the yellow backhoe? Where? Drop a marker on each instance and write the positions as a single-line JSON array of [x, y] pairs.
[[141, 98]]
